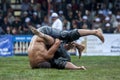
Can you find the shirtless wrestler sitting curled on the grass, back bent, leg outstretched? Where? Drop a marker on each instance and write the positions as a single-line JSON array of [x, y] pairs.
[[42, 57]]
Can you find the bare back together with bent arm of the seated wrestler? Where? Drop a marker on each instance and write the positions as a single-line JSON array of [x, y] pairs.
[[37, 50]]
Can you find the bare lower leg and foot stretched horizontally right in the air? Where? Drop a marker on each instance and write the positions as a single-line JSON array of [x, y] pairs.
[[98, 33]]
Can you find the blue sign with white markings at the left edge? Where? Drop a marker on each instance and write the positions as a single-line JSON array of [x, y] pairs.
[[6, 45]]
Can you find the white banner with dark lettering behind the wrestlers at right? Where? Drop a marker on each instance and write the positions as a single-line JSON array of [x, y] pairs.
[[94, 46]]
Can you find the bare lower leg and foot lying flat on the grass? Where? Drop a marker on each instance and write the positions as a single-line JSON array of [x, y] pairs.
[[70, 65]]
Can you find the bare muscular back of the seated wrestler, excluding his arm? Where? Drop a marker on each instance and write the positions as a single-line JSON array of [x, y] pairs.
[[36, 50]]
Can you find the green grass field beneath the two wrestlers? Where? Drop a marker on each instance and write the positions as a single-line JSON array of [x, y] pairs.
[[98, 68]]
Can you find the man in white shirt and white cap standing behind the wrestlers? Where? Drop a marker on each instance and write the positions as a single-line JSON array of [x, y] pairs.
[[56, 22]]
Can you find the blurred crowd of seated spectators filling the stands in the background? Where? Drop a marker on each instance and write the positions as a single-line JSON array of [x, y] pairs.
[[80, 14]]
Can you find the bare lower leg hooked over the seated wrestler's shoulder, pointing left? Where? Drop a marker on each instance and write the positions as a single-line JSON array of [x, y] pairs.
[[49, 40]]
